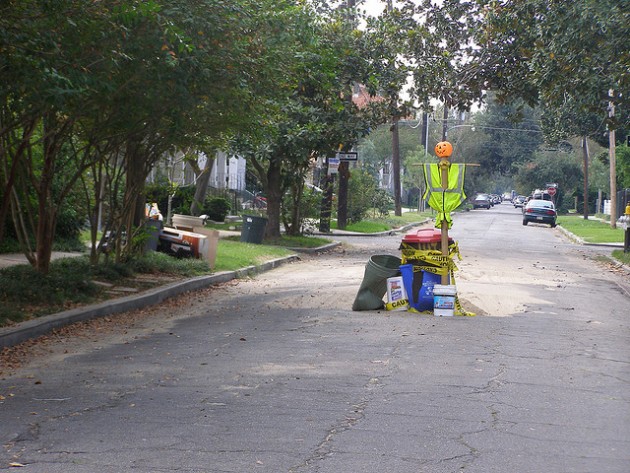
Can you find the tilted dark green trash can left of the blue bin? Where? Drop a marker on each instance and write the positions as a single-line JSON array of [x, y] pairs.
[[374, 284]]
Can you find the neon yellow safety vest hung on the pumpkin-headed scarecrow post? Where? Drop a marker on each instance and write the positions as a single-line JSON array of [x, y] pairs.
[[444, 201]]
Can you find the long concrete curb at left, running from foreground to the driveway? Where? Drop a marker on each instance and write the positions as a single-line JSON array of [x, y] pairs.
[[10, 336]]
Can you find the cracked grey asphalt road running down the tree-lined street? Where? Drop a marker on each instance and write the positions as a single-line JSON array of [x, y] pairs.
[[277, 374]]
